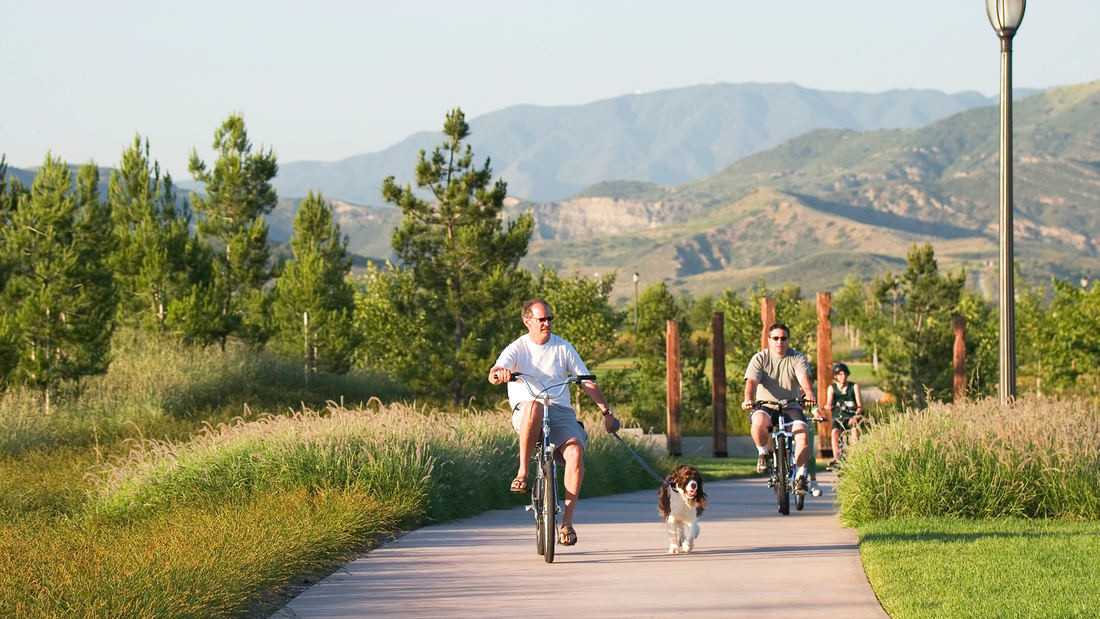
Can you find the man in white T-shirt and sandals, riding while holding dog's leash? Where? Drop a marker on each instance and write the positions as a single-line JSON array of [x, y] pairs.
[[546, 359]]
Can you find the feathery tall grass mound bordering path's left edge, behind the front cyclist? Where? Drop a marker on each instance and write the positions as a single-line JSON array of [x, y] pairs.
[[442, 466]]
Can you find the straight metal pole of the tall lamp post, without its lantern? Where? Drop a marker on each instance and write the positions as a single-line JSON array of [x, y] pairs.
[[1008, 346]]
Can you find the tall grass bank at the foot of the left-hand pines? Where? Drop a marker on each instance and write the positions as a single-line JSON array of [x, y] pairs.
[[157, 386]]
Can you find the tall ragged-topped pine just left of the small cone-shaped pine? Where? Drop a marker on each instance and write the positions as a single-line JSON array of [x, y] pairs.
[[238, 194]]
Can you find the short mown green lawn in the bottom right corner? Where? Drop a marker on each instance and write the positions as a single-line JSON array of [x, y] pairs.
[[1003, 568]]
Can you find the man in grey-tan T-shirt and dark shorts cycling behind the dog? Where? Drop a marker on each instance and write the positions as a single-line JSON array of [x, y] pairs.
[[773, 375]]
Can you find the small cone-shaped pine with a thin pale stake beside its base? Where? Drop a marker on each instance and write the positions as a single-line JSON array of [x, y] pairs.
[[315, 285]]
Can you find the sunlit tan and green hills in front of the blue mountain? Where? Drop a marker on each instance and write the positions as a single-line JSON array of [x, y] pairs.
[[831, 197]]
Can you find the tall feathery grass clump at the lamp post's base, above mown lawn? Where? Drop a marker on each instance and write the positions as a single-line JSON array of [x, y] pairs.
[[1037, 459]]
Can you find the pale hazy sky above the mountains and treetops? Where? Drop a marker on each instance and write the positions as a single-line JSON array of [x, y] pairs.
[[326, 81]]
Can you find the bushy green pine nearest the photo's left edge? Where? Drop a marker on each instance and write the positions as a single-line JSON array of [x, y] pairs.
[[60, 290]]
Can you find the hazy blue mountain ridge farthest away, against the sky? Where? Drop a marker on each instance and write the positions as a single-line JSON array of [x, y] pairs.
[[666, 138]]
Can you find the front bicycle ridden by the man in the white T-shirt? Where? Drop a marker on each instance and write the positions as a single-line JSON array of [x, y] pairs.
[[545, 492]]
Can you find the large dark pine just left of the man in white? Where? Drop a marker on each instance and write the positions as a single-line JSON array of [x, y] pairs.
[[465, 262]]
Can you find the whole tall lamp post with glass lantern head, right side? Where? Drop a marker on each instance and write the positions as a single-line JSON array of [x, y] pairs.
[[1005, 16]]
